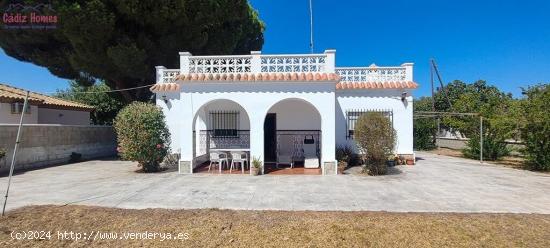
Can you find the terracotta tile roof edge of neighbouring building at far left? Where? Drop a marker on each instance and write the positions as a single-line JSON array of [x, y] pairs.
[[13, 94]]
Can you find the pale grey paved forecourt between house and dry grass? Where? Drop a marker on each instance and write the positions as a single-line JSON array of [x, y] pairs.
[[436, 183]]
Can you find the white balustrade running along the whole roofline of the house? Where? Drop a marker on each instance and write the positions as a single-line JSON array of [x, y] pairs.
[[284, 63]]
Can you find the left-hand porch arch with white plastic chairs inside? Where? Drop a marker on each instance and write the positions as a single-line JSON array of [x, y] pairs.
[[221, 132]]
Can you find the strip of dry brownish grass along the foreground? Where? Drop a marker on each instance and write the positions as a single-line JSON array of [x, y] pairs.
[[277, 228]]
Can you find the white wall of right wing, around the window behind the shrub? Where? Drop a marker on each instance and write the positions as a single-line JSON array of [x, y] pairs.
[[377, 99]]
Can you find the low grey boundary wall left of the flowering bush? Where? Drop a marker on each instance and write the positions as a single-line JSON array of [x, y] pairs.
[[50, 144]]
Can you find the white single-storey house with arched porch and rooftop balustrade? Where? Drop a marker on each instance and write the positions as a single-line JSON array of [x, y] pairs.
[[278, 105]]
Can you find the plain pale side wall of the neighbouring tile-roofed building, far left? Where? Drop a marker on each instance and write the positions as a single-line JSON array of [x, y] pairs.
[[62, 116]]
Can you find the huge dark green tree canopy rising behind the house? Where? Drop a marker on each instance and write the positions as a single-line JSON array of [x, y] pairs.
[[120, 41]]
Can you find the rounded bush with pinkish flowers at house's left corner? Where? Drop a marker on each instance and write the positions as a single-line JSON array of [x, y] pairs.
[[142, 135]]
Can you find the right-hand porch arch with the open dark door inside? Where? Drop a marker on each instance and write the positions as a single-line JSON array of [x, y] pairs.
[[292, 138]]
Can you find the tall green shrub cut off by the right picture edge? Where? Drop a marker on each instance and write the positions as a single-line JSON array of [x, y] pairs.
[[536, 131]]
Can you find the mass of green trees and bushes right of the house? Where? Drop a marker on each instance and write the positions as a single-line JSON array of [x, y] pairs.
[[505, 119]]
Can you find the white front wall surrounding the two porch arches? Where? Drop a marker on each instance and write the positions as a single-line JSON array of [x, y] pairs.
[[257, 100]]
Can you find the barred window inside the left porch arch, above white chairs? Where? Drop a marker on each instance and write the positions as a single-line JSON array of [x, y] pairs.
[[224, 123]]
